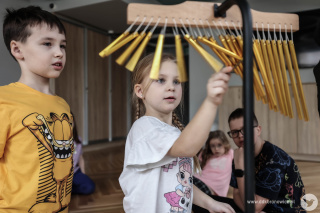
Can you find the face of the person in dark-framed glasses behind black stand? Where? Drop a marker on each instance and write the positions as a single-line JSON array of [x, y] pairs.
[[237, 124]]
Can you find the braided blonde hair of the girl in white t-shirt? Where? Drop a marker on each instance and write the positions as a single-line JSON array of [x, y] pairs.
[[140, 72]]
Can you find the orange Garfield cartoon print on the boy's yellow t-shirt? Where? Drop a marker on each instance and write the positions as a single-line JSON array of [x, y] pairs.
[[55, 146]]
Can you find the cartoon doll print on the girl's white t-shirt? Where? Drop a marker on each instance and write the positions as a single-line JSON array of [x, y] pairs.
[[180, 199]]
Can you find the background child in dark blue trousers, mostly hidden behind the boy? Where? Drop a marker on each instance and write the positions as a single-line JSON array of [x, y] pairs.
[[82, 183]]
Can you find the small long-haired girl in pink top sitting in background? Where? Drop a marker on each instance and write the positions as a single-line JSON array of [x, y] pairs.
[[216, 164]]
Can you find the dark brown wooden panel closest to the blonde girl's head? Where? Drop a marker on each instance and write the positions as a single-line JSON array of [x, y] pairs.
[[119, 97]]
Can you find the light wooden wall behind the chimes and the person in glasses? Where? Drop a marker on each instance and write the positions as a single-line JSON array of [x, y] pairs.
[[292, 135]]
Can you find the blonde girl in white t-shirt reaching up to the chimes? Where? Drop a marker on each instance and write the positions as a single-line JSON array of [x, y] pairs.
[[158, 164]]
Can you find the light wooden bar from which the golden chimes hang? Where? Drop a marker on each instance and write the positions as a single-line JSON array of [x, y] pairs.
[[192, 10]]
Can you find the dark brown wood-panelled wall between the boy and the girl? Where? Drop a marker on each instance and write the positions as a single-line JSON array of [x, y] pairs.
[[70, 85]]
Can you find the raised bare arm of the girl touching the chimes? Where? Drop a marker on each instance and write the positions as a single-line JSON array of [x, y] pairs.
[[196, 132]]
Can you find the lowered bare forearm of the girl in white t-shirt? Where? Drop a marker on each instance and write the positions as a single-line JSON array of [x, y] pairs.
[[203, 200]]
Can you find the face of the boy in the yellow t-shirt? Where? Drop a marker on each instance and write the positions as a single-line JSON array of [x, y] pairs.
[[43, 54]]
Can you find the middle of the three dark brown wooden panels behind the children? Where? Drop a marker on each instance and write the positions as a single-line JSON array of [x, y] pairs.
[[98, 88]]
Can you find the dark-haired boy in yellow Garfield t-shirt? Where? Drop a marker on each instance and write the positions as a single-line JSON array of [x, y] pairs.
[[36, 139]]
